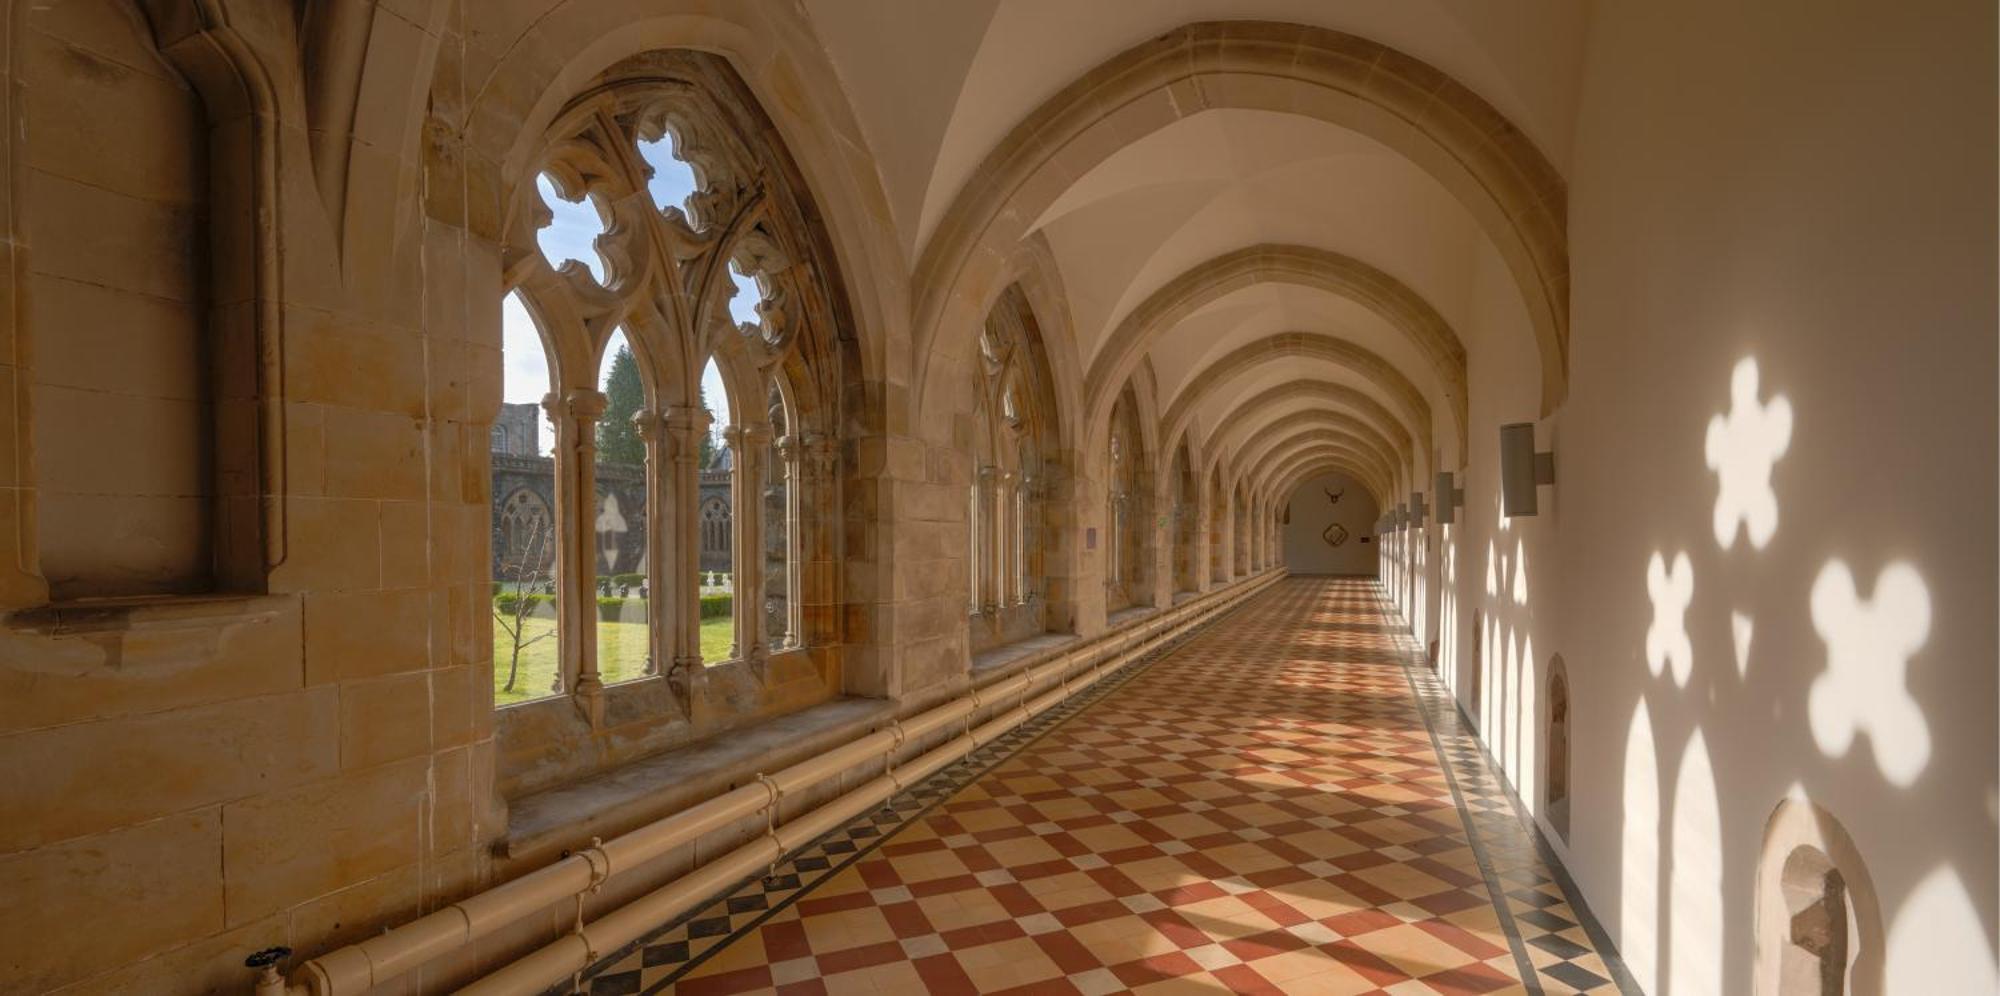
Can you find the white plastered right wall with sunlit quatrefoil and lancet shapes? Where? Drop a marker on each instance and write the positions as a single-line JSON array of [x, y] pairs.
[[1809, 191]]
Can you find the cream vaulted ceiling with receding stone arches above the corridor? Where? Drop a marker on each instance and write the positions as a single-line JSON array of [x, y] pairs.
[[989, 127]]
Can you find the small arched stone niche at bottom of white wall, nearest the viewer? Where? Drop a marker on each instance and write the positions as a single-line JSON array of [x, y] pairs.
[[1819, 925]]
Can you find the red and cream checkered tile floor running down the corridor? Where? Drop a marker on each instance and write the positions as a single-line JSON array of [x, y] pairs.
[[1287, 803]]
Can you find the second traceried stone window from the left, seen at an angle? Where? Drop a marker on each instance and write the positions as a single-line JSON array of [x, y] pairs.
[[1019, 483]]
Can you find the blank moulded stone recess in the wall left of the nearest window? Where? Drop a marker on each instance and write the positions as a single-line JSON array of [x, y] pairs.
[[147, 479]]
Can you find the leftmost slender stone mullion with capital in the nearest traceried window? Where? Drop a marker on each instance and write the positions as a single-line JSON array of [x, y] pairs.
[[577, 603]]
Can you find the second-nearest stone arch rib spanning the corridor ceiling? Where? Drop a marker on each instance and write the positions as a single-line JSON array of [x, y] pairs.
[[1327, 271]]
